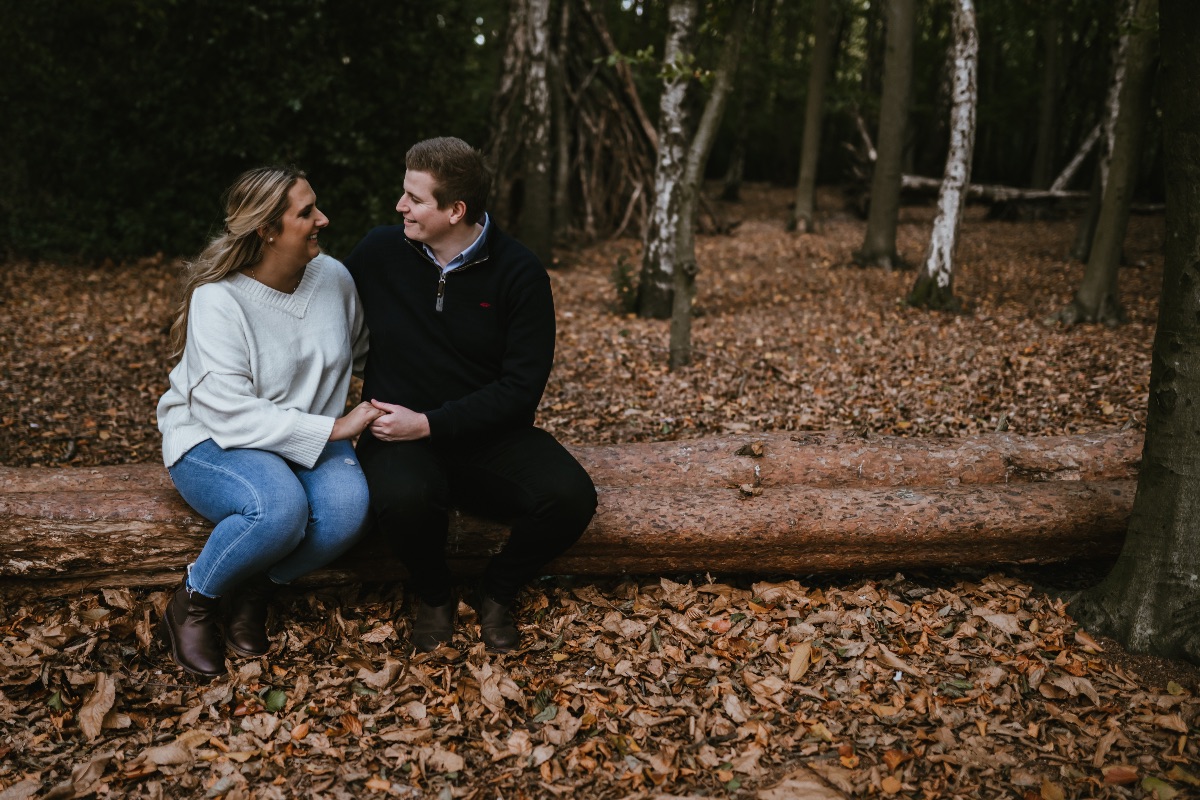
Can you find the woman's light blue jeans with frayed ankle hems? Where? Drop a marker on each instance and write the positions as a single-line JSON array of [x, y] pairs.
[[272, 515]]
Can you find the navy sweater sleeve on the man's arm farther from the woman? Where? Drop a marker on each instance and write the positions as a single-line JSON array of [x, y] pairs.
[[512, 400]]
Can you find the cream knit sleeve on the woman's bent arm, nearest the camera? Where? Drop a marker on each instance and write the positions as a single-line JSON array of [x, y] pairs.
[[221, 392]]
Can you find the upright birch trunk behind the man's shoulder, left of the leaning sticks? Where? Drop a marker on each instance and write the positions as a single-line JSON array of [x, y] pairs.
[[537, 208]]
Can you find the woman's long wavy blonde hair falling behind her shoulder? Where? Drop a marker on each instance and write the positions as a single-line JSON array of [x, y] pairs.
[[256, 202]]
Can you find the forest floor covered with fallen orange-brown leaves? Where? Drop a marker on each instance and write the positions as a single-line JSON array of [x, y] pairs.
[[923, 685]]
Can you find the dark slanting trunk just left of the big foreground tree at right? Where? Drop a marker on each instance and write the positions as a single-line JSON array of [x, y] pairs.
[[1097, 299]]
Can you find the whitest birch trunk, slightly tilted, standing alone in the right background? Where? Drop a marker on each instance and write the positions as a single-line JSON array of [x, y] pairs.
[[935, 285]]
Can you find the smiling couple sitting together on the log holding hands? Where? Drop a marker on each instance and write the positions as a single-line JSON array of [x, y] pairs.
[[461, 323]]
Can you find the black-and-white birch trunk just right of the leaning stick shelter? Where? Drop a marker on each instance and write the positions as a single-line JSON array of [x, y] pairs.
[[656, 288]]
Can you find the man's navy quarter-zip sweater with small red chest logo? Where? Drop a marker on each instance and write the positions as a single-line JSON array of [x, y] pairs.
[[471, 350]]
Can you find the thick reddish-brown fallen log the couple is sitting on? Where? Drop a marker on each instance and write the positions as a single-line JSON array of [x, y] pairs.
[[779, 503]]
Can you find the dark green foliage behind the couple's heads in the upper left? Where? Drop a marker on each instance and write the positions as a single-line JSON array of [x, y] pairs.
[[127, 119]]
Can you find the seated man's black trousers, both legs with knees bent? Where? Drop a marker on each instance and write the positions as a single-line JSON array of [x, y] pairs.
[[525, 478]]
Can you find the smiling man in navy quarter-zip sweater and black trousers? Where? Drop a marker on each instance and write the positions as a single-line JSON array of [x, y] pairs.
[[463, 340]]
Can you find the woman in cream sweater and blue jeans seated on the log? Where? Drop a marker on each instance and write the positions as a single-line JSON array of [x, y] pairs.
[[268, 333]]
